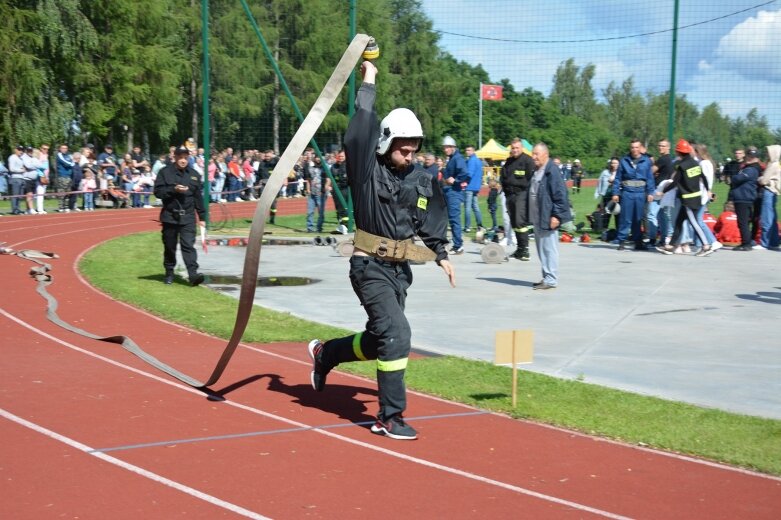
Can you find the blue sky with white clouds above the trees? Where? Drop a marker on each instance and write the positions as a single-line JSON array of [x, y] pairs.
[[729, 51]]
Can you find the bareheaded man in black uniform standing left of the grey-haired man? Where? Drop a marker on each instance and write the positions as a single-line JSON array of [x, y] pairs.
[[515, 175]]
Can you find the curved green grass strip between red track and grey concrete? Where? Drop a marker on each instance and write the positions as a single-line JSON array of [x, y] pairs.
[[745, 441]]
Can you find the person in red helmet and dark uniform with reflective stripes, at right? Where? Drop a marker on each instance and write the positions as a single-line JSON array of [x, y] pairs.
[[688, 179]]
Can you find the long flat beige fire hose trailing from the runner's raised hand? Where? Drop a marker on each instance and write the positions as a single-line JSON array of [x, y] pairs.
[[286, 162]]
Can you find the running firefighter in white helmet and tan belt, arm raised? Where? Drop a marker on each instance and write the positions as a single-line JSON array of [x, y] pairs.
[[394, 200]]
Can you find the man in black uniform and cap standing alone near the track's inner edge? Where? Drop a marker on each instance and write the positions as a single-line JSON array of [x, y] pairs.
[[181, 190]]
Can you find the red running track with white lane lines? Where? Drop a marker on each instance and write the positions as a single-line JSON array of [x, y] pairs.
[[90, 431]]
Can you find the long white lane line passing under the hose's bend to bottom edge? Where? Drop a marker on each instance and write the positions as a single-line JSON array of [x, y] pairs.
[[390, 453]]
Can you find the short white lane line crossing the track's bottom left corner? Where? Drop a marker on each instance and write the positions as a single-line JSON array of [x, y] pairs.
[[132, 468]]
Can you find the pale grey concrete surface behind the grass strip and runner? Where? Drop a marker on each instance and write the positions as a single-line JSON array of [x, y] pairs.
[[699, 330]]
